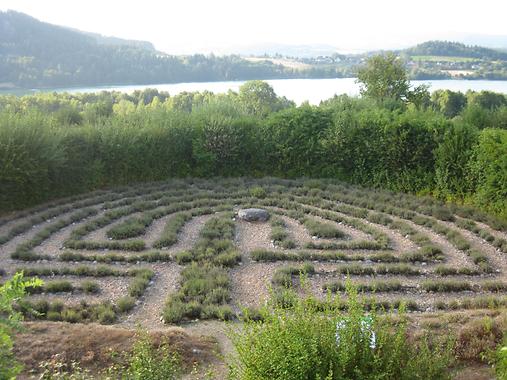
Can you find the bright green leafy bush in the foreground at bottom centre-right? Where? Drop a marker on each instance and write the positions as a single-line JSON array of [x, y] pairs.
[[308, 342]]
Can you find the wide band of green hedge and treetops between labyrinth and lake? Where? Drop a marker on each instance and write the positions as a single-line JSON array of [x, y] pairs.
[[449, 145]]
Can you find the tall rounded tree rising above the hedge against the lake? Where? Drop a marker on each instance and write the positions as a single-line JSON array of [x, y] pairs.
[[384, 77]]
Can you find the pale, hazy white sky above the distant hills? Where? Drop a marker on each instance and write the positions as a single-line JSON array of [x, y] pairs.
[[188, 26]]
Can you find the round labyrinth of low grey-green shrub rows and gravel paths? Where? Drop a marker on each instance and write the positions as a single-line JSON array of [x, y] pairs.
[[176, 251]]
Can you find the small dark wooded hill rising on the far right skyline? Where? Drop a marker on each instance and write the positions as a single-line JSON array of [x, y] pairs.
[[455, 49]]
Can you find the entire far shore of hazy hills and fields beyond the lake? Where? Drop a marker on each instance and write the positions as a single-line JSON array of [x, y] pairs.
[[34, 54]]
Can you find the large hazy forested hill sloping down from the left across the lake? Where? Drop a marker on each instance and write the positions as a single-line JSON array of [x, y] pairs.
[[37, 54]]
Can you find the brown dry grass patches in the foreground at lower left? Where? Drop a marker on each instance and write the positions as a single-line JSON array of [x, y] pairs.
[[85, 344]]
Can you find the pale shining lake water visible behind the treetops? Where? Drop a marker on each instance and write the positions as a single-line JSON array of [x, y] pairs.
[[298, 90]]
